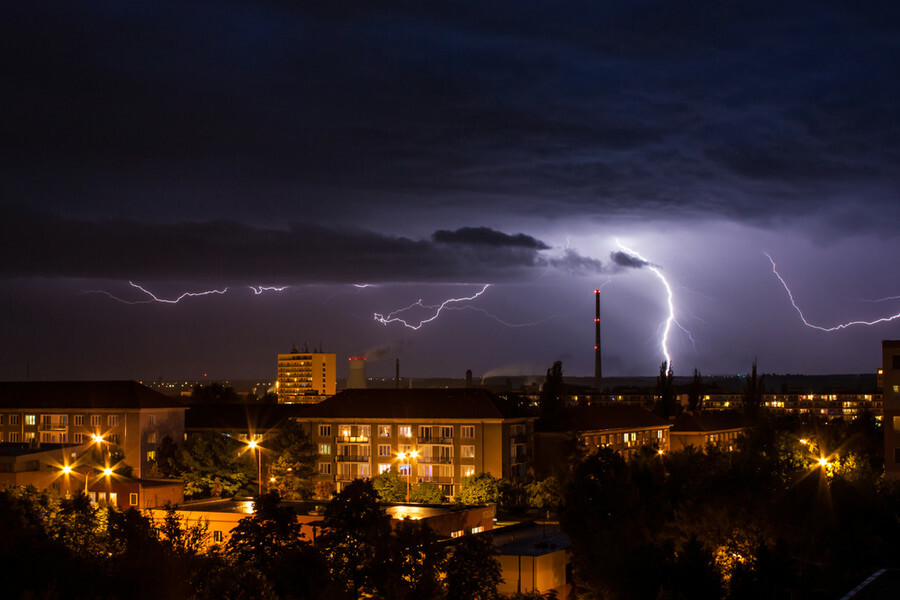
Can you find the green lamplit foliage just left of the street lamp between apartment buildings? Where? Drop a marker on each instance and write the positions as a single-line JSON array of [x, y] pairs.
[[215, 465]]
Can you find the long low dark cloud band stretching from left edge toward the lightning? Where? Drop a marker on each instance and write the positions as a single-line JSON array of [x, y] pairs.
[[37, 244]]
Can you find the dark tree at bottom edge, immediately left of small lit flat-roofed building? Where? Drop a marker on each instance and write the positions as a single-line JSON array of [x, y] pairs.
[[473, 570]]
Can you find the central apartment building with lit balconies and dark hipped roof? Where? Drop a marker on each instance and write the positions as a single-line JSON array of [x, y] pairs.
[[430, 435]]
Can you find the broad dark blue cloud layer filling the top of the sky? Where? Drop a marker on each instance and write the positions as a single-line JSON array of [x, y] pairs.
[[749, 110]]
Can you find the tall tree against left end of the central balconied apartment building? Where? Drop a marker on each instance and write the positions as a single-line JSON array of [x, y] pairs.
[[294, 467]]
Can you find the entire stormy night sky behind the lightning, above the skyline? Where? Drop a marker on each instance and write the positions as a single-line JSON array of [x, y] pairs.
[[369, 155]]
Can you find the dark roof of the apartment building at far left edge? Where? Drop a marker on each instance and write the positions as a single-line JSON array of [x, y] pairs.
[[82, 394]]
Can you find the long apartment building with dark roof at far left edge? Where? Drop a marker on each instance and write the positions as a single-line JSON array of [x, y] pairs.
[[121, 413]]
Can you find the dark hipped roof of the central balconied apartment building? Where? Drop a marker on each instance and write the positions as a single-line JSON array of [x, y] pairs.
[[458, 403]]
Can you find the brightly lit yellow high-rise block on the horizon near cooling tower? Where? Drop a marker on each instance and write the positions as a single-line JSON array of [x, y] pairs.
[[306, 377]]
